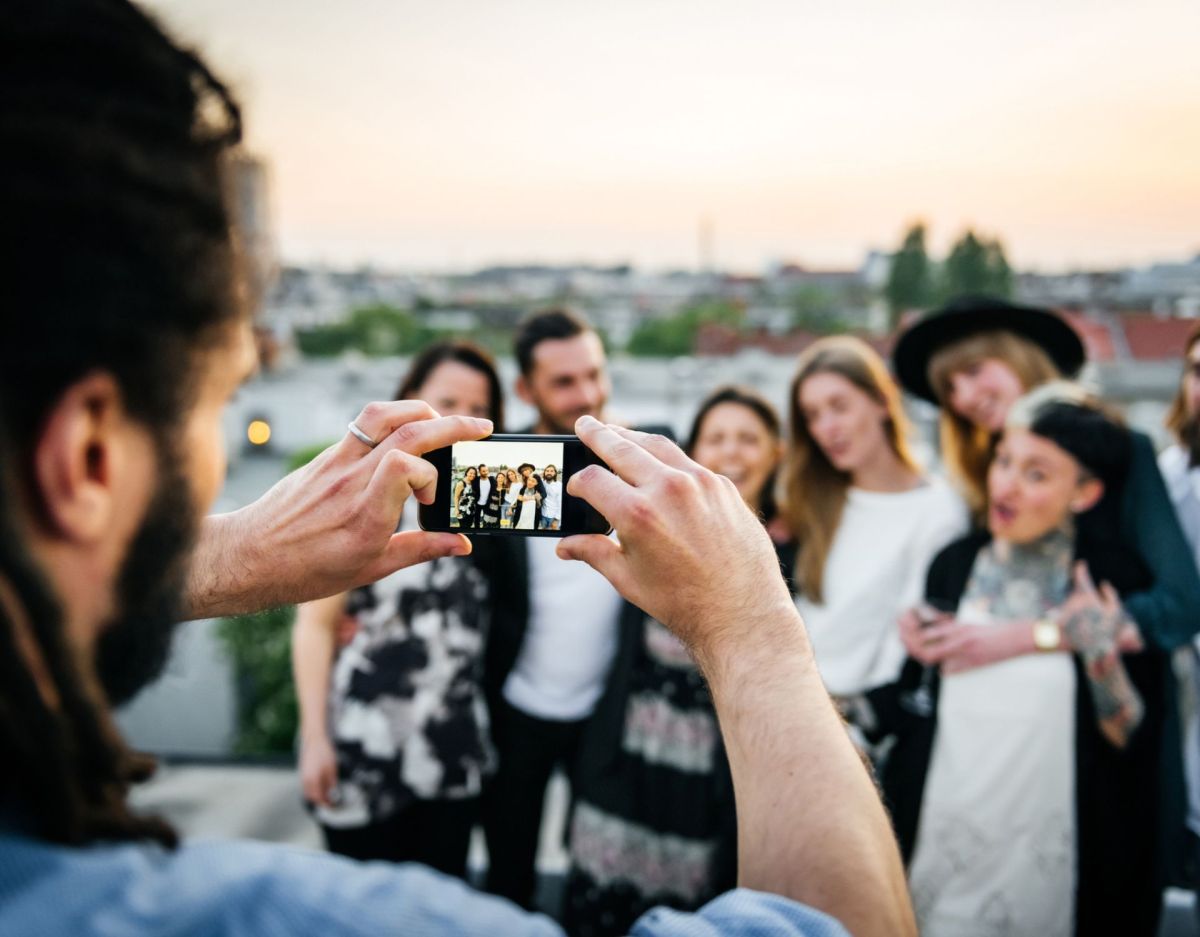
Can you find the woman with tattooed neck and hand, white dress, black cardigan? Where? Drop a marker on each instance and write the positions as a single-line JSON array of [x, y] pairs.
[[1027, 792]]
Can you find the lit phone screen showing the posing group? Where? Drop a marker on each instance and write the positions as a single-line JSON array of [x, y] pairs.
[[527, 477]]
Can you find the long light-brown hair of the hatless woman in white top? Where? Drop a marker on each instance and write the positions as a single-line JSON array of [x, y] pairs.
[[815, 491]]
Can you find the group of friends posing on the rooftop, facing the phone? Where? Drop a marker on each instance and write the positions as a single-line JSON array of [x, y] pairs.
[[997, 636]]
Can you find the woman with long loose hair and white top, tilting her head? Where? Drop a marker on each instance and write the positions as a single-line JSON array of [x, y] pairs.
[[867, 520]]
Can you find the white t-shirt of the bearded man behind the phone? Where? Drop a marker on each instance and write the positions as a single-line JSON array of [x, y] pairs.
[[571, 641]]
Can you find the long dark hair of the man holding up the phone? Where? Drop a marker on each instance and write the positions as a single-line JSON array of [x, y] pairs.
[[117, 261]]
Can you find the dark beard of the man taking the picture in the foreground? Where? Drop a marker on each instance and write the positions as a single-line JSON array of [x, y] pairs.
[[135, 646]]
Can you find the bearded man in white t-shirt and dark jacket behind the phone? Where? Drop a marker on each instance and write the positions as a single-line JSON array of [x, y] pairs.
[[554, 629]]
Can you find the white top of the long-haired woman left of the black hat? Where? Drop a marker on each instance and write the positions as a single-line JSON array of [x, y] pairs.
[[877, 570]]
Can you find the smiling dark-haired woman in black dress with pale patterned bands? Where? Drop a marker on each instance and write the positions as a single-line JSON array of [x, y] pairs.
[[653, 821]]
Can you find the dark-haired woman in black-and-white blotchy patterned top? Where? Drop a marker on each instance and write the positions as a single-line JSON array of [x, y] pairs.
[[394, 737]]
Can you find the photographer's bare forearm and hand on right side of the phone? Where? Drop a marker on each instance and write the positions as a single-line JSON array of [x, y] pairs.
[[811, 824]]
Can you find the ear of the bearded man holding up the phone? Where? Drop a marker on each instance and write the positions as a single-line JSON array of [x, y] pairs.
[[81, 446]]
